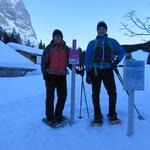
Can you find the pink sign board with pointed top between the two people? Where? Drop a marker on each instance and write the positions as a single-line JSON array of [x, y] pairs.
[[74, 54]]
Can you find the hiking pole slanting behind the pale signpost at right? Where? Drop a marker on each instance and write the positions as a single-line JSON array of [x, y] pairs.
[[140, 117]]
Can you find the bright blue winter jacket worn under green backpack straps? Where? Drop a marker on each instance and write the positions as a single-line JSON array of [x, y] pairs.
[[116, 50]]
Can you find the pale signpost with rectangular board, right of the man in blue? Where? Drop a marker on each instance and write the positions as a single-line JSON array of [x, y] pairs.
[[133, 79]]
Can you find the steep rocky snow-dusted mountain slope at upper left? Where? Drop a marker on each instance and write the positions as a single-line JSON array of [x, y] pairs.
[[13, 14]]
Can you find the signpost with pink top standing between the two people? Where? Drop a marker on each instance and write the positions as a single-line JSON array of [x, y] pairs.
[[73, 59]]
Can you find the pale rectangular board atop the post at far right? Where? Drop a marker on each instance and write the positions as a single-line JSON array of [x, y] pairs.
[[133, 75]]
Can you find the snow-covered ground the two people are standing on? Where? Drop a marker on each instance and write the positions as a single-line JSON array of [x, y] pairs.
[[22, 102]]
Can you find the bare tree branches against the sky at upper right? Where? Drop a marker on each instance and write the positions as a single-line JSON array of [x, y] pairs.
[[136, 26]]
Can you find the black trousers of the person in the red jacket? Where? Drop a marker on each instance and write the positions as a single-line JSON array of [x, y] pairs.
[[57, 82]]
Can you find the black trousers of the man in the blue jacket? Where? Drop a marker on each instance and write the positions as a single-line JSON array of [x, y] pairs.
[[107, 76]]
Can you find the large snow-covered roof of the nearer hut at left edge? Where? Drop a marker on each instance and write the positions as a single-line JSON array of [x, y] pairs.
[[11, 58]]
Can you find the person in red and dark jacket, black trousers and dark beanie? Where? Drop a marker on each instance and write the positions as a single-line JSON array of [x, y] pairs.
[[54, 68]]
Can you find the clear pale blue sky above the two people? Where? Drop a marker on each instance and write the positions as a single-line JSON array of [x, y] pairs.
[[77, 19]]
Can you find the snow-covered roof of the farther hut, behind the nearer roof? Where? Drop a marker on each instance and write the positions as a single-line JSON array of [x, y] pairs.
[[31, 50]]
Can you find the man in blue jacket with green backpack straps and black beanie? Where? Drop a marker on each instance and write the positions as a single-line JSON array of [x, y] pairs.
[[102, 55]]
